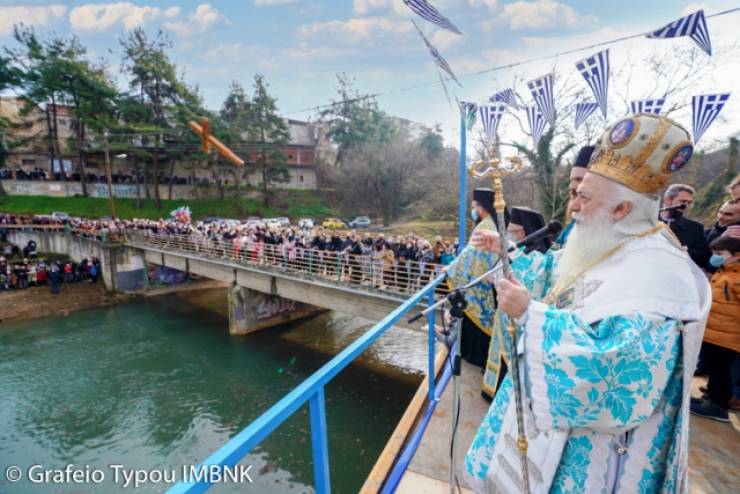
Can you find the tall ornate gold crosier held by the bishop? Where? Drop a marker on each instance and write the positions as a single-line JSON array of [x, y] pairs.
[[496, 170]]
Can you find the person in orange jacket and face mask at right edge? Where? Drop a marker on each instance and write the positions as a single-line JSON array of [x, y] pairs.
[[721, 344]]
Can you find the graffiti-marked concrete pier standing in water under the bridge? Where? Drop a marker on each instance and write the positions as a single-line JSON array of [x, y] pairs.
[[251, 311]]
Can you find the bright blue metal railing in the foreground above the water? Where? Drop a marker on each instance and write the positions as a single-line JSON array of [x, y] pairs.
[[312, 391]]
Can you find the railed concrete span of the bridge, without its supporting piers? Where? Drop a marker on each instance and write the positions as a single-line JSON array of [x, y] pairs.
[[325, 280]]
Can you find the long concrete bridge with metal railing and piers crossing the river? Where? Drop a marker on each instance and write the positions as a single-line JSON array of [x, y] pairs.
[[361, 286]]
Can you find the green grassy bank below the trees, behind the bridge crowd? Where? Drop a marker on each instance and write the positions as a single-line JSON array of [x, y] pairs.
[[291, 203]]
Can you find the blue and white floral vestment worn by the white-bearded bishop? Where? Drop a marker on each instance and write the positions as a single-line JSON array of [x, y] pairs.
[[606, 370]]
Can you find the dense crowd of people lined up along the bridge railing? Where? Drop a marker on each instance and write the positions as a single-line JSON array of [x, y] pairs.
[[398, 262]]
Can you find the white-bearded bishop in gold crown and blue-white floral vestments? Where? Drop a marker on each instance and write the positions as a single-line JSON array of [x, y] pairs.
[[610, 328]]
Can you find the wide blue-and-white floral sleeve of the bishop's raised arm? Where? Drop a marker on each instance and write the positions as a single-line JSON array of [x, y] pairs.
[[608, 377]]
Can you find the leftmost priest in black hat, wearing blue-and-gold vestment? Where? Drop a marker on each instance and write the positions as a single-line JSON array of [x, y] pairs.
[[471, 263]]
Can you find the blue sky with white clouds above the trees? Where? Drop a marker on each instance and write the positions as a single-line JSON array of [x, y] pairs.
[[301, 44]]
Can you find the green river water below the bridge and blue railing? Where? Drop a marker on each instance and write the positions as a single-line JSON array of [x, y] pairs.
[[159, 383]]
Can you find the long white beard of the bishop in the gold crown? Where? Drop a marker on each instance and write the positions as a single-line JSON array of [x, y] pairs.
[[589, 240]]
